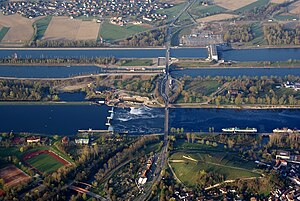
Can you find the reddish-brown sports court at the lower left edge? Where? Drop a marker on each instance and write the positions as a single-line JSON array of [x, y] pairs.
[[13, 176]]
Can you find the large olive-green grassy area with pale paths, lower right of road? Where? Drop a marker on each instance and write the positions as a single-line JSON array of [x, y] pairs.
[[210, 160]]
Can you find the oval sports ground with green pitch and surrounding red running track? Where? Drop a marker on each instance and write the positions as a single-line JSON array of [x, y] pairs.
[[45, 161]]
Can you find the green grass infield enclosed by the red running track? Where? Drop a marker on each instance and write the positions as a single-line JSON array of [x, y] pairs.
[[44, 163]]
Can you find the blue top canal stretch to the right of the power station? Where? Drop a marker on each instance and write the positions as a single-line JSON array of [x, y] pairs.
[[271, 54]]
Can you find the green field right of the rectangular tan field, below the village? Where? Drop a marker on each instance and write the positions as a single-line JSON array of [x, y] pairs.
[[111, 32]]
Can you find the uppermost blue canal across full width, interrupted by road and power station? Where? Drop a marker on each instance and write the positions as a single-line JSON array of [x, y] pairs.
[[272, 54]]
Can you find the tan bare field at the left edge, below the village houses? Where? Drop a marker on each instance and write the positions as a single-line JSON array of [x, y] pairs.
[[20, 28]]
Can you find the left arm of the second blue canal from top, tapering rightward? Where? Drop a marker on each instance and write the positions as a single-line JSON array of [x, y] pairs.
[[47, 71]]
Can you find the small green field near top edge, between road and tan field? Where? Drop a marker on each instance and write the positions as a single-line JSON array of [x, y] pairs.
[[200, 11]]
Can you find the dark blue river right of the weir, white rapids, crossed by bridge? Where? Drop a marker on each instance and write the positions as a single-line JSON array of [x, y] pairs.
[[151, 120]]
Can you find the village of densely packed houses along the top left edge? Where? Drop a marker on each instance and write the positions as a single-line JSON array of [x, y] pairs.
[[125, 9]]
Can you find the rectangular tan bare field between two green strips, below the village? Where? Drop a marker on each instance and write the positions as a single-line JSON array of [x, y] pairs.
[[64, 28]]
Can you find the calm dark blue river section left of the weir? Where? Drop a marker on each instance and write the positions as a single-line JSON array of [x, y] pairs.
[[52, 119]]
